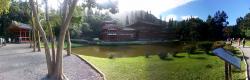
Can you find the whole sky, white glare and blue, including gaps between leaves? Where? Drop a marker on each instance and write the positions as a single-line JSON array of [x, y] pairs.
[[182, 9]]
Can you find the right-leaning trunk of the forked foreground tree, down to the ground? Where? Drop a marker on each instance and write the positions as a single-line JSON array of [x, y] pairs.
[[64, 28]]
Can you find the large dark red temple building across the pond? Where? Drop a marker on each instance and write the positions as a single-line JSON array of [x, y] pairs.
[[138, 31]]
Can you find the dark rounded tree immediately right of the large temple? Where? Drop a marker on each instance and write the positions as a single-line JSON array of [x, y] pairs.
[[191, 29]]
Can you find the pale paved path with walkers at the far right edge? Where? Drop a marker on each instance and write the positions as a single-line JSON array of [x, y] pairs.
[[246, 51]]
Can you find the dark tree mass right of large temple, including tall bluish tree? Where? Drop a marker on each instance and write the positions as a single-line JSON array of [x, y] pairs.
[[195, 29]]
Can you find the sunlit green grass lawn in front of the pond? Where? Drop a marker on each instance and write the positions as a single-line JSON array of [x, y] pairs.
[[198, 67]]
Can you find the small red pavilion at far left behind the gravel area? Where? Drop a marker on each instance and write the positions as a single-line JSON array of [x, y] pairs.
[[20, 31]]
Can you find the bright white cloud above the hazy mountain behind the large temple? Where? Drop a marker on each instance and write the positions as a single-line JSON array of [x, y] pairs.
[[155, 6]]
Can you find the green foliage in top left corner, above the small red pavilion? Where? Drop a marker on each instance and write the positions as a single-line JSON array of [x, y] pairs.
[[19, 11]]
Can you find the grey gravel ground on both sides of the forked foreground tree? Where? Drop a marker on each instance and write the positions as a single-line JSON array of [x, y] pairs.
[[18, 62]]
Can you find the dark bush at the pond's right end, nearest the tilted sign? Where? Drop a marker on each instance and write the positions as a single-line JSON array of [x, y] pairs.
[[206, 46]]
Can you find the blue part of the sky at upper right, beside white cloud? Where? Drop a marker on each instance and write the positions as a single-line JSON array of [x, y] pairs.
[[203, 8]]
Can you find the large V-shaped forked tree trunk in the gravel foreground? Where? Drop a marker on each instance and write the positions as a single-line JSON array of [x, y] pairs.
[[55, 71]]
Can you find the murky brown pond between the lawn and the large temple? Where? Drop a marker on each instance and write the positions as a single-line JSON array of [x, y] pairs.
[[127, 50]]
